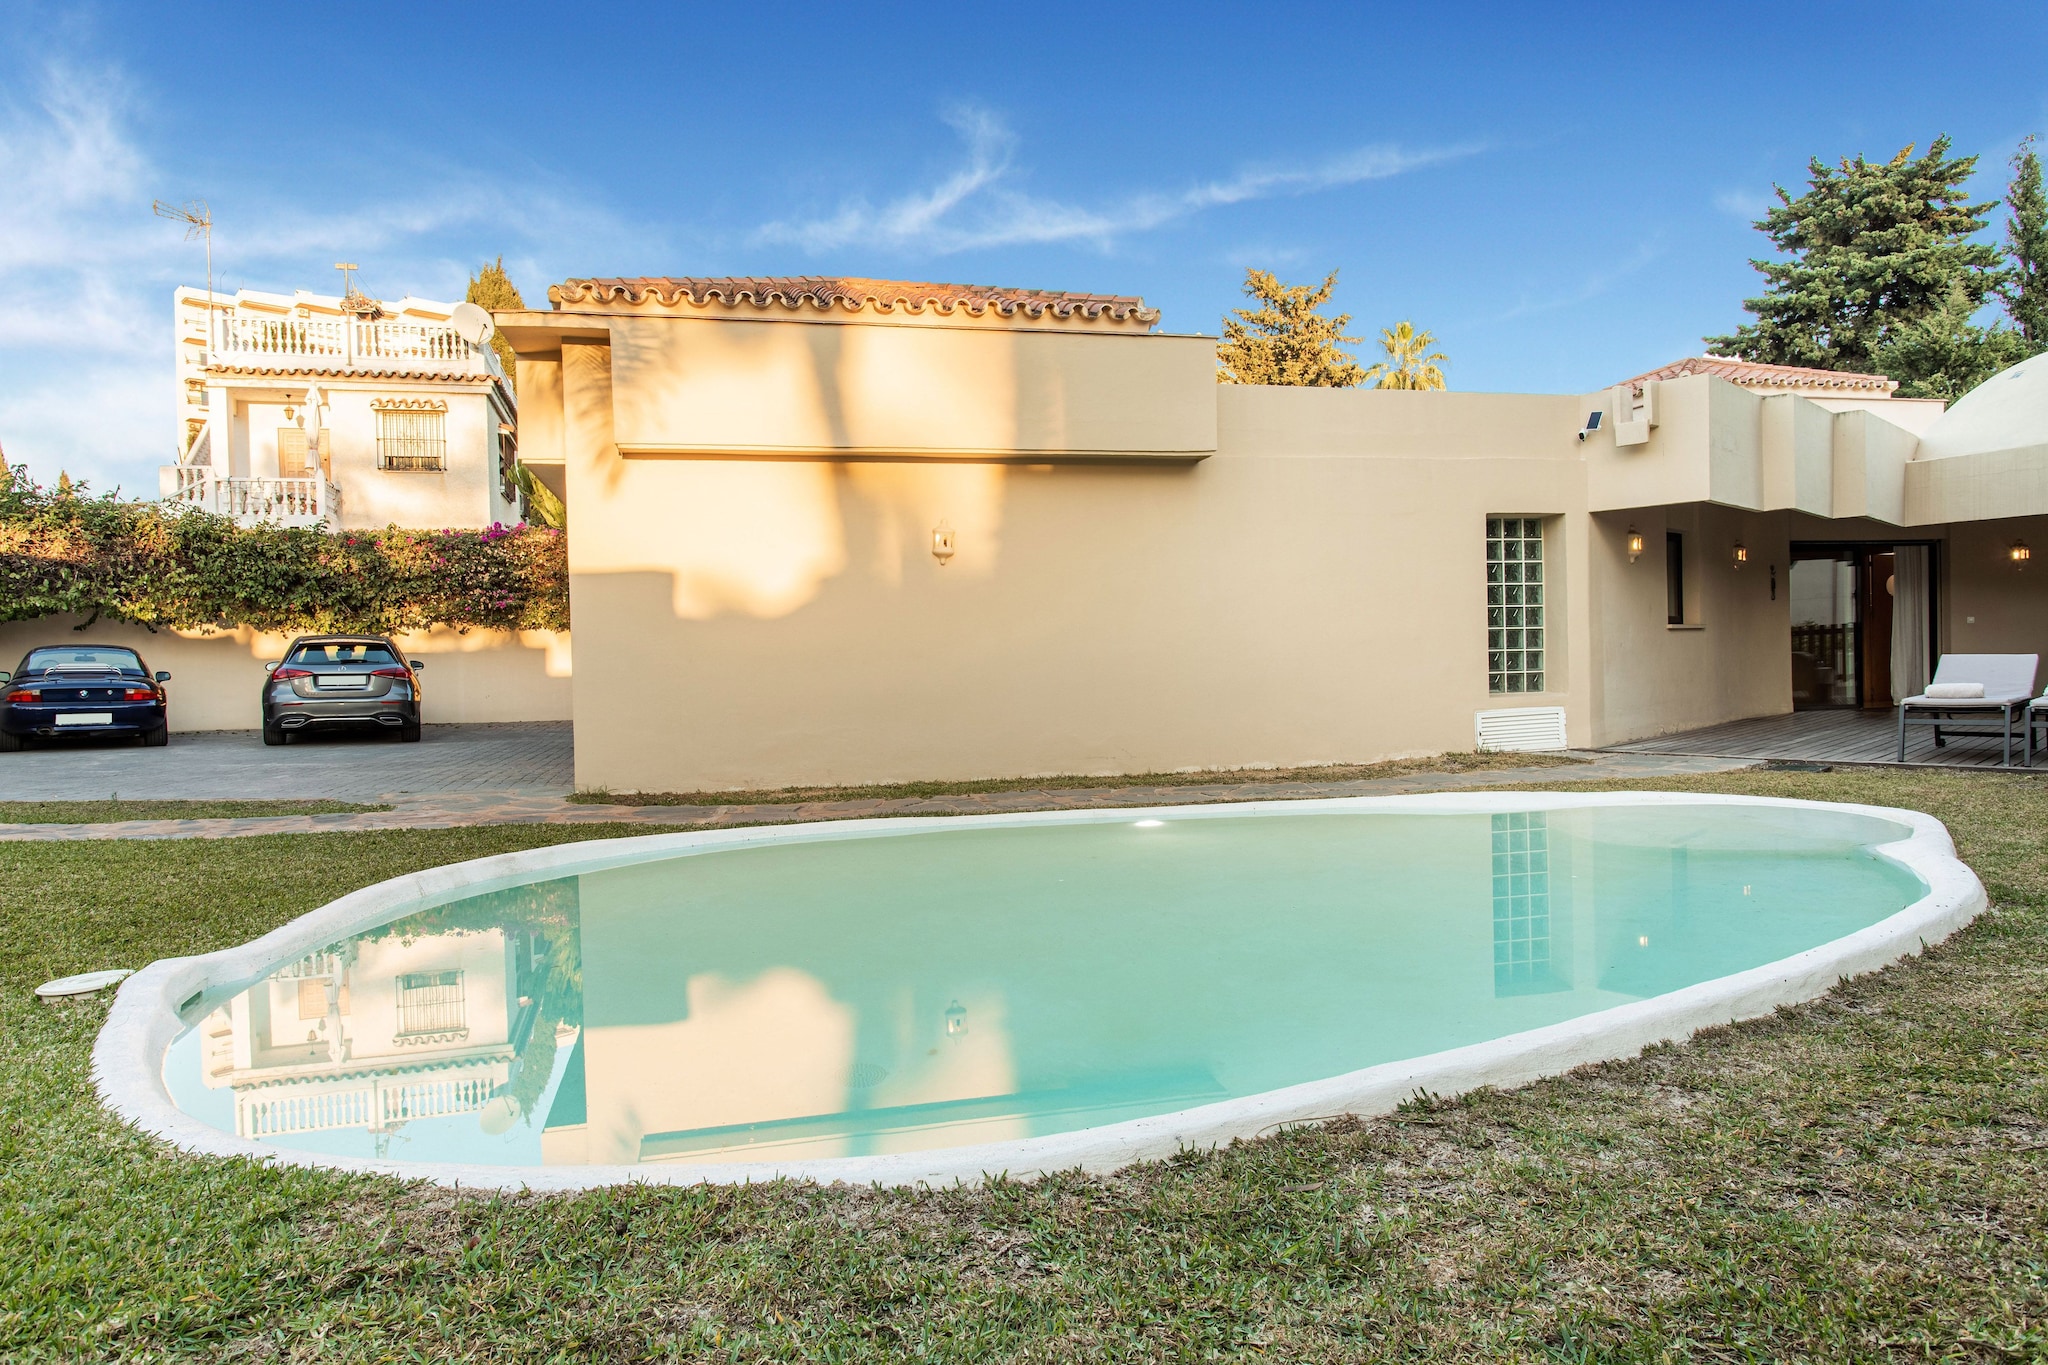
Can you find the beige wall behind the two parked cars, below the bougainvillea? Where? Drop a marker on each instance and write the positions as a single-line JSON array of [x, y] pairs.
[[218, 676]]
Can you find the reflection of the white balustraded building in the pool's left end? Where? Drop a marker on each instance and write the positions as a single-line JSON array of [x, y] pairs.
[[452, 1012]]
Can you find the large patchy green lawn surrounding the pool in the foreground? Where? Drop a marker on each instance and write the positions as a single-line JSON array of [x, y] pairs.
[[1857, 1180]]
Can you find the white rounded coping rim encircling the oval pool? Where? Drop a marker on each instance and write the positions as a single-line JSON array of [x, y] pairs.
[[128, 1061]]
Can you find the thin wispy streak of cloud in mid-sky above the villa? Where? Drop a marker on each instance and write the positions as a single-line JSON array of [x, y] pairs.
[[982, 204]]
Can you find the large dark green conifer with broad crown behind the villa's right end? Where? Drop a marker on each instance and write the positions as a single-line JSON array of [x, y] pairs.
[[1871, 249]]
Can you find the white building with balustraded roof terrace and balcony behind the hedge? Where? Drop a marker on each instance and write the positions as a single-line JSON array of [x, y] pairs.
[[359, 414]]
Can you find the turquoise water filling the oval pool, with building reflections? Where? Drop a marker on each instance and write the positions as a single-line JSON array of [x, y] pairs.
[[974, 983]]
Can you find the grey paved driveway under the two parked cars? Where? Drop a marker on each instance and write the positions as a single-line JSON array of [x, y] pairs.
[[239, 766]]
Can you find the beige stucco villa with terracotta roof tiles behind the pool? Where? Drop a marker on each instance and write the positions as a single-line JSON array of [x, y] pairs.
[[871, 531]]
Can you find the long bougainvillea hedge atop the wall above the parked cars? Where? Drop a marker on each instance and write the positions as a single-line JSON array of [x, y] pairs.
[[69, 554]]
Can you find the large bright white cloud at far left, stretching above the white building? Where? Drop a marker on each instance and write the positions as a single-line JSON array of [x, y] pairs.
[[87, 269]]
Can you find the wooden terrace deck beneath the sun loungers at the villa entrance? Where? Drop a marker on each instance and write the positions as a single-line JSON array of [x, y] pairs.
[[1832, 738]]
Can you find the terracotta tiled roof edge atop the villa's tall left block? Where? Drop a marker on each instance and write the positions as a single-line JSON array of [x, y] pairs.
[[822, 292]]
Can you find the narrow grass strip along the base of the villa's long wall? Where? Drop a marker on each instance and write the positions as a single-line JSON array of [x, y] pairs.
[[1236, 777]]
